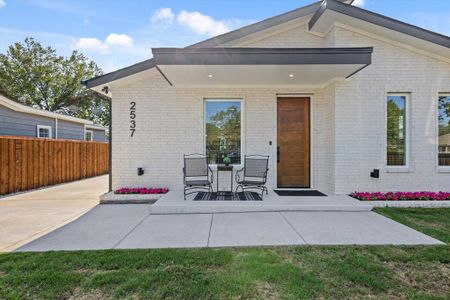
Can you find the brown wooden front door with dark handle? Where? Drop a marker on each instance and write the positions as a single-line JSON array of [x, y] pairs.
[[293, 152]]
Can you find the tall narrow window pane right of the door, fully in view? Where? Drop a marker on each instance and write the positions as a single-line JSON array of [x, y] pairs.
[[396, 130]]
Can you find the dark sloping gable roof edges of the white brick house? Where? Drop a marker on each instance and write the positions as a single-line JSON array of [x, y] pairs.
[[317, 9]]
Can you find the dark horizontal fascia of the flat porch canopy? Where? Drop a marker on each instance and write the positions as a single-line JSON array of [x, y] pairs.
[[261, 56]]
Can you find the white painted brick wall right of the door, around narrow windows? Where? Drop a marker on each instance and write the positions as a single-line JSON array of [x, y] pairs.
[[362, 101]]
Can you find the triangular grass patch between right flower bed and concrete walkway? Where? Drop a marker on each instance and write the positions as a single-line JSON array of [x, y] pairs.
[[432, 221]]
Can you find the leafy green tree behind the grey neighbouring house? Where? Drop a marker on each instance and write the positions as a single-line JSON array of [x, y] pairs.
[[36, 76]]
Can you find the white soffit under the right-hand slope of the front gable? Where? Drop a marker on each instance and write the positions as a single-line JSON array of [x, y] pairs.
[[330, 17]]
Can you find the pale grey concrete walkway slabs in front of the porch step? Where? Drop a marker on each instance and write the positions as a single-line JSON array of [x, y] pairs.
[[133, 226]]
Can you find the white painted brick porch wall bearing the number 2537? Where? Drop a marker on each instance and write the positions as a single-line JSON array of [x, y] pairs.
[[170, 123]]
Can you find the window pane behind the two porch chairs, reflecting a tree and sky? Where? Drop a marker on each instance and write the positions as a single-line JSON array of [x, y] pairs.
[[223, 131]]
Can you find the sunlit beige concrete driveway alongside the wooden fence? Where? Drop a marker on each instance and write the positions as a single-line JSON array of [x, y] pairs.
[[27, 216]]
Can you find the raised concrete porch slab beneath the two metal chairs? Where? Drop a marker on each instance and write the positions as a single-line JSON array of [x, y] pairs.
[[173, 203]]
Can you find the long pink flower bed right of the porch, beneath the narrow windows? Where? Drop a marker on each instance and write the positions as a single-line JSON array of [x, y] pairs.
[[401, 196]]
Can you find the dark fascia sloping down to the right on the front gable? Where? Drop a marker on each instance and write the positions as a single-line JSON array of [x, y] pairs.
[[380, 20]]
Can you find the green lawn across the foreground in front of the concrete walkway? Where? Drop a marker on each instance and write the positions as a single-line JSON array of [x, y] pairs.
[[245, 273]]
